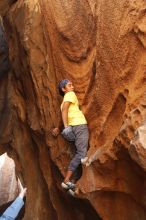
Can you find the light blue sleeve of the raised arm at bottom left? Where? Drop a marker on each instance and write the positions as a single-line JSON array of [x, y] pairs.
[[13, 210]]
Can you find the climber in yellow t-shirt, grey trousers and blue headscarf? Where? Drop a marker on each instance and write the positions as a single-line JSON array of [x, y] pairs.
[[75, 129]]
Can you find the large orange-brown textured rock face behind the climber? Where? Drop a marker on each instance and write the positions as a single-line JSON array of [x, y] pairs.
[[100, 46]]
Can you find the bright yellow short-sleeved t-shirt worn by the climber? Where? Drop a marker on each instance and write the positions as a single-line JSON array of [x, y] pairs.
[[75, 115]]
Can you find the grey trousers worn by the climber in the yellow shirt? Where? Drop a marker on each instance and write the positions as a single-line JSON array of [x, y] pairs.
[[81, 142]]
